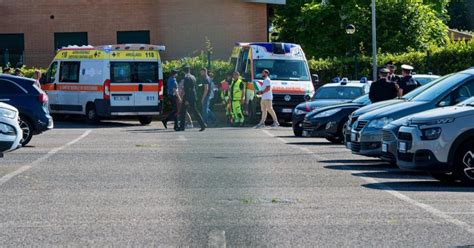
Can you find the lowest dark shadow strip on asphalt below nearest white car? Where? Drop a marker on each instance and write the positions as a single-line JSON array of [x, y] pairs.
[[420, 186]]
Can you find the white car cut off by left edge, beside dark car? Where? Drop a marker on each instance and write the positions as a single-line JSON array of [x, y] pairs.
[[10, 131]]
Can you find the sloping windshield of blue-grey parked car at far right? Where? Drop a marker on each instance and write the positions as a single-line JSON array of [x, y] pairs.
[[442, 85]]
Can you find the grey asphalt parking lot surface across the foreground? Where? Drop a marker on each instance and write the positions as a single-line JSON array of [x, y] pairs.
[[123, 184]]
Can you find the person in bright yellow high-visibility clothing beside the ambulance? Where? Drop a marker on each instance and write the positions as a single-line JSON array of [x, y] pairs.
[[237, 99]]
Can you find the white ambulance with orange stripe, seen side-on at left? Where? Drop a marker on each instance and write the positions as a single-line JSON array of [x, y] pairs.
[[112, 81]]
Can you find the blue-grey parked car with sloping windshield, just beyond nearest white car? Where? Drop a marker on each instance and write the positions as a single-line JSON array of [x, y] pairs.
[[366, 133]]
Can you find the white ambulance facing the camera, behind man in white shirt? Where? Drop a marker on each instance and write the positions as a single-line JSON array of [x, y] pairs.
[[289, 71]]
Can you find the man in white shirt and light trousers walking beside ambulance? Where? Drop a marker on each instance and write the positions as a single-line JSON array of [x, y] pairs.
[[267, 101]]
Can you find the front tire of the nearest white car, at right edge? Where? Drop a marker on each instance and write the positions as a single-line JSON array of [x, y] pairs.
[[464, 163]]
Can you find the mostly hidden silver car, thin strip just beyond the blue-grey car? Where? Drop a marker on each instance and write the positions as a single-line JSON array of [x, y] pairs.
[[364, 110]]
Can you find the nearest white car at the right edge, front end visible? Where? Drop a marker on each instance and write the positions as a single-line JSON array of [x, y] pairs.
[[440, 142]]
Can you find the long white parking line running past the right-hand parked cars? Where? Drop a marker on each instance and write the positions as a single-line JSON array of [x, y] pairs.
[[436, 212]]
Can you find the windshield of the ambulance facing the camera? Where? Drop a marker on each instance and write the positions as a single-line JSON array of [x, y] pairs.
[[294, 70]]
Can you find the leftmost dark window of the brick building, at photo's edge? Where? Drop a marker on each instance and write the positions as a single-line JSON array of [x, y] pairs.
[[12, 47]]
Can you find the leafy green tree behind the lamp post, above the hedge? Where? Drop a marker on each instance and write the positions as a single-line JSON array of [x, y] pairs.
[[319, 26]]
